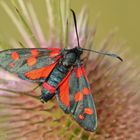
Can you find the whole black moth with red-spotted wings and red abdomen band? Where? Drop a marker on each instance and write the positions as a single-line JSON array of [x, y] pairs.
[[60, 73]]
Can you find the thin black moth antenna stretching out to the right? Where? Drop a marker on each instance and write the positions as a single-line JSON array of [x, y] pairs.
[[105, 53]]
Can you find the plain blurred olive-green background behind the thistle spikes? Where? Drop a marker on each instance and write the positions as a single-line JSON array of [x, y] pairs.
[[121, 14]]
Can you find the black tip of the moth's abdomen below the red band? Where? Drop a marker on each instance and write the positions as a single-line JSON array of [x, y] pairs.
[[46, 95]]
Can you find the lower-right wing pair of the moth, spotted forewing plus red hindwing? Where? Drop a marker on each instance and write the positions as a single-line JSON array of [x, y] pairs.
[[75, 97]]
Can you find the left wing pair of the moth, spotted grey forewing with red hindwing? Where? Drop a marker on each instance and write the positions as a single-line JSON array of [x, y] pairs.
[[33, 64]]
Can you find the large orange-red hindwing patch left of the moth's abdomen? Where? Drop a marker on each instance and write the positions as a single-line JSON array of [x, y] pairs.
[[41, 72]]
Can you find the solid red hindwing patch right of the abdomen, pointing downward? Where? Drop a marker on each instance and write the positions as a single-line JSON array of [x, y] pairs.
[[64, 91]]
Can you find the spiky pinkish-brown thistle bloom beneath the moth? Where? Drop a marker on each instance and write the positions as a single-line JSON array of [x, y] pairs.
[[114, 85]]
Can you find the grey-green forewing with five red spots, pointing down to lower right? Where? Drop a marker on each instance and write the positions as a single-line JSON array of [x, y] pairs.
[[81, 101]]
